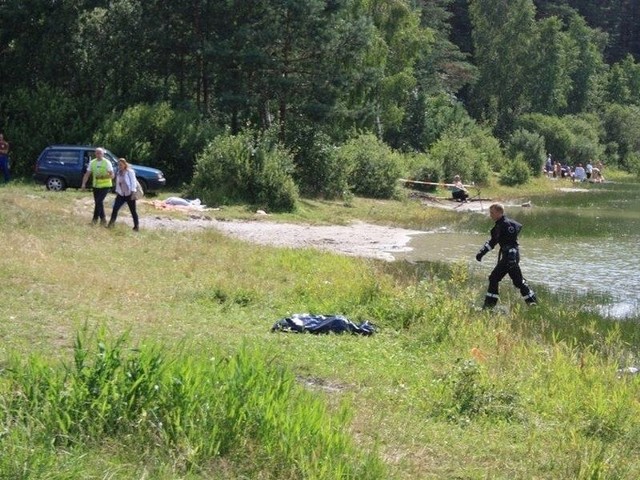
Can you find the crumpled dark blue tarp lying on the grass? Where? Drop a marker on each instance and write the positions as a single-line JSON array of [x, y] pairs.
[[304, 322]]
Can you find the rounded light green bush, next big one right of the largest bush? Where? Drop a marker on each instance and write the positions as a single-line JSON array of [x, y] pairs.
[[374, 167]]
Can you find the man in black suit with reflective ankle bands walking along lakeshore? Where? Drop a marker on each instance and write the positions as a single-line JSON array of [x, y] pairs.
[[504, 233]]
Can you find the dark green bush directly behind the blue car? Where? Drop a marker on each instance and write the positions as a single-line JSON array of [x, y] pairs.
[[157, 135]]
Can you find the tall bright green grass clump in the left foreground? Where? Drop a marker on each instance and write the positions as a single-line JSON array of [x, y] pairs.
[[192, 411]]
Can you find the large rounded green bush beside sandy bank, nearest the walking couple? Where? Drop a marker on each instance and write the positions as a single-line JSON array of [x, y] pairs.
[[245, 169]]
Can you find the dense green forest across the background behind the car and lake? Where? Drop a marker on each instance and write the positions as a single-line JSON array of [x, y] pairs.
[[158, 81]]
